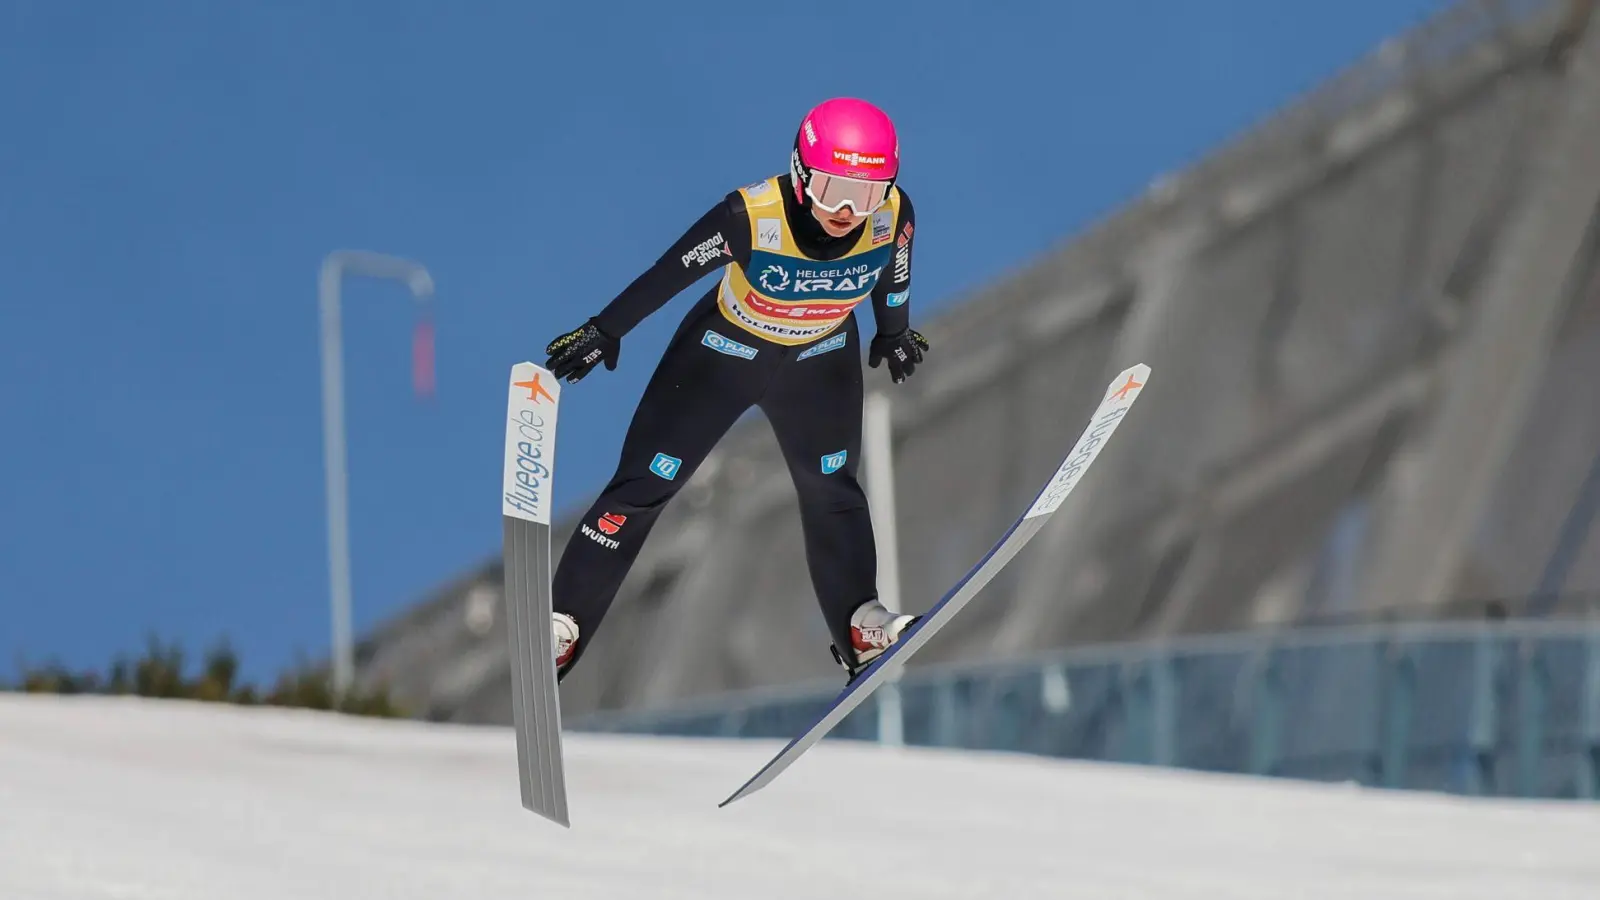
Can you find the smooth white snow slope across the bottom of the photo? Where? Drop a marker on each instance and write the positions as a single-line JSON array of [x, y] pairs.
[[124, 798]]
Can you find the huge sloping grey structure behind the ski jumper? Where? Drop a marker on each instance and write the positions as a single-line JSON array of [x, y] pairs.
[[1374, 326]]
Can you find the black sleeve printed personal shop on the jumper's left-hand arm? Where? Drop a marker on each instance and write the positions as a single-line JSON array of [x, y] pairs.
[[719, 238]]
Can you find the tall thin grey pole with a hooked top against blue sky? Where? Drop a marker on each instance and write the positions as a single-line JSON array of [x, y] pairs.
[[334, 268]]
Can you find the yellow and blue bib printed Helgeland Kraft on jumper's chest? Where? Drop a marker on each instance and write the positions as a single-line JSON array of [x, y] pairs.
[[785, 295]]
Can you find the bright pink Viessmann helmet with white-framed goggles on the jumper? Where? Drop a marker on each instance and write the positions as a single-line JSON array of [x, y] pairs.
[[846, 155]]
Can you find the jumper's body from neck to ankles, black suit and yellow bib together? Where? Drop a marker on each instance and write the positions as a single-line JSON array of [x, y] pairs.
[[778, 332]]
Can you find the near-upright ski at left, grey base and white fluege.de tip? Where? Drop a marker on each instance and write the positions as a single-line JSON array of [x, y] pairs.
[[526, 516]]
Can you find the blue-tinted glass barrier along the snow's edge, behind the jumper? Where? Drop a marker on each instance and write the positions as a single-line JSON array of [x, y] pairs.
[[1508, 709]]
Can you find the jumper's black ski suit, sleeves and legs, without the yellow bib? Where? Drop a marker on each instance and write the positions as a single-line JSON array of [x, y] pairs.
[[710, 376]]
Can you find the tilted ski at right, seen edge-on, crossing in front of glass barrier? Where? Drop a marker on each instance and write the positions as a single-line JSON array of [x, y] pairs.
[[1114, 408]]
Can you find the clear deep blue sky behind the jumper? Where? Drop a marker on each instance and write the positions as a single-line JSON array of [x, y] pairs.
[[174, 174]]
